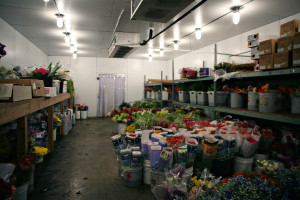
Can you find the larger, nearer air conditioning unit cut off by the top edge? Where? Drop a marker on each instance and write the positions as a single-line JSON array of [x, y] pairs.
[[157, 10]]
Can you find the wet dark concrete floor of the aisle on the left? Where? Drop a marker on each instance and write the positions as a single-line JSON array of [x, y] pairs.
[[84, 161]]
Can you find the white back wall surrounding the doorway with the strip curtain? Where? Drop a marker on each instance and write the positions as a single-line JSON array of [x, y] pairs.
[[86, 69]]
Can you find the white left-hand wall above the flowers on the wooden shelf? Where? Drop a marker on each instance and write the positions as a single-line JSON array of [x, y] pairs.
[[20, 51]]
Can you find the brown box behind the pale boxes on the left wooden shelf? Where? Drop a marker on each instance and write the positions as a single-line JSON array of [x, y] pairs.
[[37, 85]]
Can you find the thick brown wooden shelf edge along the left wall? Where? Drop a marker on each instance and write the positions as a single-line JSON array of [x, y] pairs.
[[13, 110]]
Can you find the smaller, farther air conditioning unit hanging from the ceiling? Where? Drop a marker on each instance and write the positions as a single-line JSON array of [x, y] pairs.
[[123, 44]]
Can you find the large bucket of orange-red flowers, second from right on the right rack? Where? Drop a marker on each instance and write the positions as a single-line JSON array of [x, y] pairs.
[[267, 101]]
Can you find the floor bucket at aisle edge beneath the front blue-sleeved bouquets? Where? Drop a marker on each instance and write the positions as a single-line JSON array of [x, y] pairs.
[[132, 177]]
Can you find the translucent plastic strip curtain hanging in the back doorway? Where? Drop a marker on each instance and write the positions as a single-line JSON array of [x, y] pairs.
[[111, 93]]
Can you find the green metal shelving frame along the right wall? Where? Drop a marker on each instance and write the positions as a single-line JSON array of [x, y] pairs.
[[278, 117]]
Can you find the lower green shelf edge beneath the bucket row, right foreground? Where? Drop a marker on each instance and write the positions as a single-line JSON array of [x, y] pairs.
[[279, 117]]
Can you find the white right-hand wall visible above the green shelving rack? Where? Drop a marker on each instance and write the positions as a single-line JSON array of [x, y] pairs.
[[233, 45]]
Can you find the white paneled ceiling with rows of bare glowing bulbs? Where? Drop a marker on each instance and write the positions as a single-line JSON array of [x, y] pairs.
[[93, 23]]
